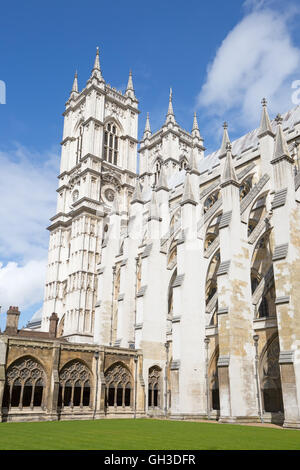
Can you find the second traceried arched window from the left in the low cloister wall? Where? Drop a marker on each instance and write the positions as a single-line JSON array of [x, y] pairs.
[[74, 385]]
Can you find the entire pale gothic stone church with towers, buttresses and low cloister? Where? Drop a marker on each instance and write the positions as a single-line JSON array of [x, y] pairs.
[[176, 287]]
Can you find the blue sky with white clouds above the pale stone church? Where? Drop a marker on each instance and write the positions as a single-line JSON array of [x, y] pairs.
[[219, 57]]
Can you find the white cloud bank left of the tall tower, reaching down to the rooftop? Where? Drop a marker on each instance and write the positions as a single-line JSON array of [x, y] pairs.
[[28, 198]]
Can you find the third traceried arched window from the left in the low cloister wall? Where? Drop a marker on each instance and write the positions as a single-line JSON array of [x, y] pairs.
[[118, 386]]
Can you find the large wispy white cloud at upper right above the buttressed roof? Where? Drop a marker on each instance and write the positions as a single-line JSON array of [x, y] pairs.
[[256, 59]]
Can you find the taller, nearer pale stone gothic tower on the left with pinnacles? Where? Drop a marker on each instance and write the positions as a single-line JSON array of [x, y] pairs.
[[98, 169]]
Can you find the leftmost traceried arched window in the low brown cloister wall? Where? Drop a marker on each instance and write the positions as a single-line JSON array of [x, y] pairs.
[[25, 384]]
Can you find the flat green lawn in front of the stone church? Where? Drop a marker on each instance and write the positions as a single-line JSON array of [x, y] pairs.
[[125, 434]]
